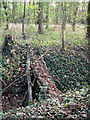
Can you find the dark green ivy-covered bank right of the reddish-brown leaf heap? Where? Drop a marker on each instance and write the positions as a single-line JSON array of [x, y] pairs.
[[68, 68]]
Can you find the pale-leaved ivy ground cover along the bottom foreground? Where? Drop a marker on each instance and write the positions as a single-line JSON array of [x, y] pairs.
[[75, 105]]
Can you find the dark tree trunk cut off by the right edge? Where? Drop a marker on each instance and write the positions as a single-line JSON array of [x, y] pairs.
[[88, 33]]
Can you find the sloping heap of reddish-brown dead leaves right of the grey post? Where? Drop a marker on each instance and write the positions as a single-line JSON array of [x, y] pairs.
[[42, 73]]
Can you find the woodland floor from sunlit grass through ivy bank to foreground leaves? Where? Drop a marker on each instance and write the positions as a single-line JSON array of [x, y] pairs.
[[68, 68]]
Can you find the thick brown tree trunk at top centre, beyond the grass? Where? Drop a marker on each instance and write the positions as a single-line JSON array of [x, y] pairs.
[[40, 19]]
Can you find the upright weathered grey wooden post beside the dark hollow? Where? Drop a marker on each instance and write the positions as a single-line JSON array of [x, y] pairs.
[[29, 77]]
